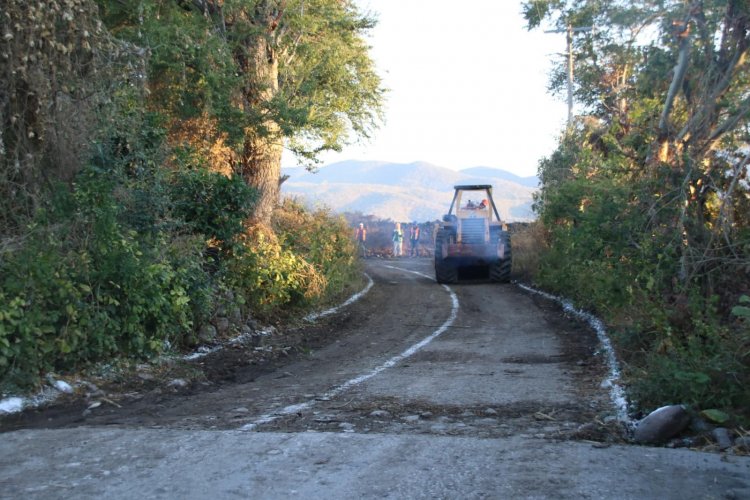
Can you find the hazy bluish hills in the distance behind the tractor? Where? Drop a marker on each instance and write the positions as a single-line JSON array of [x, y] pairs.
[[405, 191]]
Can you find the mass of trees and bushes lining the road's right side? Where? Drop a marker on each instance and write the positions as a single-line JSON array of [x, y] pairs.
[[644, 211]]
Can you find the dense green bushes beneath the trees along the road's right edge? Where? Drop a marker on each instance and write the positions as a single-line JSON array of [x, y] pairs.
[[613, 248]]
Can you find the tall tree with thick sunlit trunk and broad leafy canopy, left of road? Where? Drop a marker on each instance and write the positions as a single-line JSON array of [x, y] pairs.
[[299, 73]]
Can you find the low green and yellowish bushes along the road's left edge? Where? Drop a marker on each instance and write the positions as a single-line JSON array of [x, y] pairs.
[[93, 280]]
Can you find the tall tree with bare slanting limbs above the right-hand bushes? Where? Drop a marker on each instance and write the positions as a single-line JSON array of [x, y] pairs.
[[667, 83]]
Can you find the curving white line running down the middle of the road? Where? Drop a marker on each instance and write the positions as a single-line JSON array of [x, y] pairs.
[[296, 408]]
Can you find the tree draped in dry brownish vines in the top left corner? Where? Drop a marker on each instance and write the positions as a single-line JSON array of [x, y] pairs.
[[58, 68]]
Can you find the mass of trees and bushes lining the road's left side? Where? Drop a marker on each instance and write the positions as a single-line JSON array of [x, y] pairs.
[[140, 149]]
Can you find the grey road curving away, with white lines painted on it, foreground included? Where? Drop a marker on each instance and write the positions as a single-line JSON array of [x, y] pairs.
[[416, 390]]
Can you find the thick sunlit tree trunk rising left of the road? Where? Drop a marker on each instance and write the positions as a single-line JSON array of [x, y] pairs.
[[261, 156]]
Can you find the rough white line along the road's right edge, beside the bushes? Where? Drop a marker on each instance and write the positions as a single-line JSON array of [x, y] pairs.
[[616, 391]]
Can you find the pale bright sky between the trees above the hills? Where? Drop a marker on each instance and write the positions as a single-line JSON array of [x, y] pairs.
[[467, 86]]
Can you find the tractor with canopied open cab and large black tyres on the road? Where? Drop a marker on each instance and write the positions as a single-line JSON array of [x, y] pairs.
[[472, 242]]
